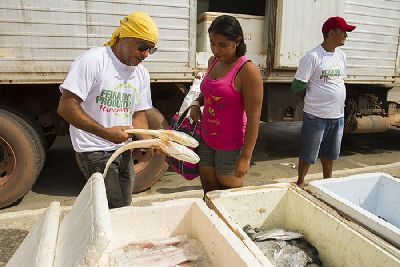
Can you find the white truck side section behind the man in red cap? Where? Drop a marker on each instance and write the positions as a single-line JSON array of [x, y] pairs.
[[372, 49]]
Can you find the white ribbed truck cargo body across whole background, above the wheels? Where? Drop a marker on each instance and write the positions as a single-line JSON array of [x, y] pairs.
[[40, 39]]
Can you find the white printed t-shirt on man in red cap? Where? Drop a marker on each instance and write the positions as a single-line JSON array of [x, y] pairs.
[[324, 72]]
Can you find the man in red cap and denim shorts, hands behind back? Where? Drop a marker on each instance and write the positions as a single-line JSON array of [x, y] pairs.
[[320, 81]]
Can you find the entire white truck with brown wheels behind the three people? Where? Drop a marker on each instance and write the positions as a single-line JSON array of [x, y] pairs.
[[40, 38]]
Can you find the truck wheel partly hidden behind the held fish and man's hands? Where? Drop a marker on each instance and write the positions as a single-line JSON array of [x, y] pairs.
[[149, 167]]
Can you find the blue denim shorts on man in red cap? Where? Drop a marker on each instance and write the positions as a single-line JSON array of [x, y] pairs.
[[320, 136]]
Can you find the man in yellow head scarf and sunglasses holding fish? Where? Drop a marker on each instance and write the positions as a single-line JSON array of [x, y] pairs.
[[107, 91]]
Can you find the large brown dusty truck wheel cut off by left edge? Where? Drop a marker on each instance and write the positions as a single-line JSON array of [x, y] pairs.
[[22, 155]]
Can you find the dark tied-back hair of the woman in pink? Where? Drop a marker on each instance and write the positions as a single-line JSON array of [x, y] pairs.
[[229, 27]]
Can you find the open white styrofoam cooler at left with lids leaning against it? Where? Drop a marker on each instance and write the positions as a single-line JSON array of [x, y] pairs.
[[89, 232]]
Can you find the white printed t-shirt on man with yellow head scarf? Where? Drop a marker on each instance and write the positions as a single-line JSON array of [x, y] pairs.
[[110, 91]]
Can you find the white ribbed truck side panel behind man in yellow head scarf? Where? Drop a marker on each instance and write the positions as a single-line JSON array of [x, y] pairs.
[[40, 38]]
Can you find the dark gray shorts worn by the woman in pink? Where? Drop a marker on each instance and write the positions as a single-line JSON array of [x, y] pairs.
[[222, 160]]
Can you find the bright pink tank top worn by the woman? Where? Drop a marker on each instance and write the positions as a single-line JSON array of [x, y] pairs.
[[224, 120]]
